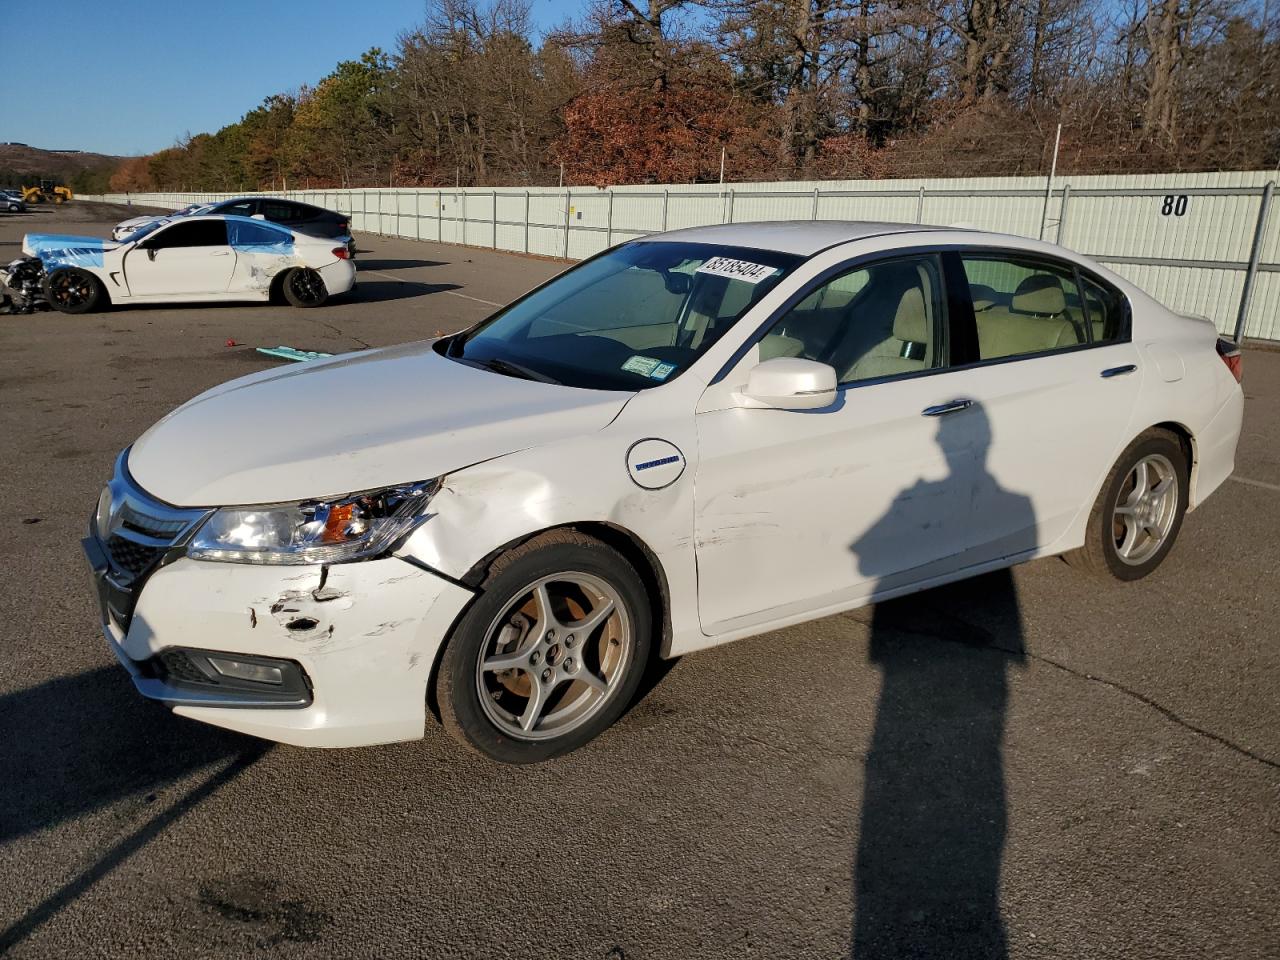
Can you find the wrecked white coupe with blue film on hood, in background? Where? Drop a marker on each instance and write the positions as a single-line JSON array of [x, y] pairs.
[[190, 260]]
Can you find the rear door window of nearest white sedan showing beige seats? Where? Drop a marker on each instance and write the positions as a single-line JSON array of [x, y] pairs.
[[1023, 307]]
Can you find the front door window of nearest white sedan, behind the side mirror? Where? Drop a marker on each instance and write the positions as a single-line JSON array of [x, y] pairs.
[[879, 321]]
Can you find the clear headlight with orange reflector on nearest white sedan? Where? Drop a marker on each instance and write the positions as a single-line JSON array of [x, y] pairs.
[[314, 532]]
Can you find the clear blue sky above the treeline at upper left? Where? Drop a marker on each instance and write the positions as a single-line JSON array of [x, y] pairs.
[[132, 76]]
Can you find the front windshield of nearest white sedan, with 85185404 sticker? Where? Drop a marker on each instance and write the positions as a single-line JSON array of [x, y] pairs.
[[634, 318]]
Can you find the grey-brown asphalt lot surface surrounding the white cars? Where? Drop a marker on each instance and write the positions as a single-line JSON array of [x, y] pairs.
[[1031, 765]]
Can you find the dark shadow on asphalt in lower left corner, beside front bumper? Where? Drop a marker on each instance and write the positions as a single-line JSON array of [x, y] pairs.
[[88, 743]]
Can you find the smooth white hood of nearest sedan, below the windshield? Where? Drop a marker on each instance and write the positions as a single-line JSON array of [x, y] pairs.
[[353, 423]]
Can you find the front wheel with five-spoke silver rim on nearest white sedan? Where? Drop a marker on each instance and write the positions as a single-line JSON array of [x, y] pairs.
[[551, 652]]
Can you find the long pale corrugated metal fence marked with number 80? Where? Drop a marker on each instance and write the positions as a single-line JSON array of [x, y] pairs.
[[1201, 244]]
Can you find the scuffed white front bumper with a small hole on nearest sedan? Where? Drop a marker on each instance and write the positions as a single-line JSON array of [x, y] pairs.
[[363, 636]]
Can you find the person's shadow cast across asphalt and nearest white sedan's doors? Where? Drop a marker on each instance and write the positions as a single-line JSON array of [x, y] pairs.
[[934, 816]]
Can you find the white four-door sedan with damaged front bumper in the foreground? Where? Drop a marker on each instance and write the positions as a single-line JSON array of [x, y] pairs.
[[689, 440]]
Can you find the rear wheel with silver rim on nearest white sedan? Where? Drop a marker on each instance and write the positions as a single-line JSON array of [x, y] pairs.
[[1136, 520]]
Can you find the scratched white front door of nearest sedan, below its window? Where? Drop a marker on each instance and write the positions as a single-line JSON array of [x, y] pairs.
[[798, 511]]
